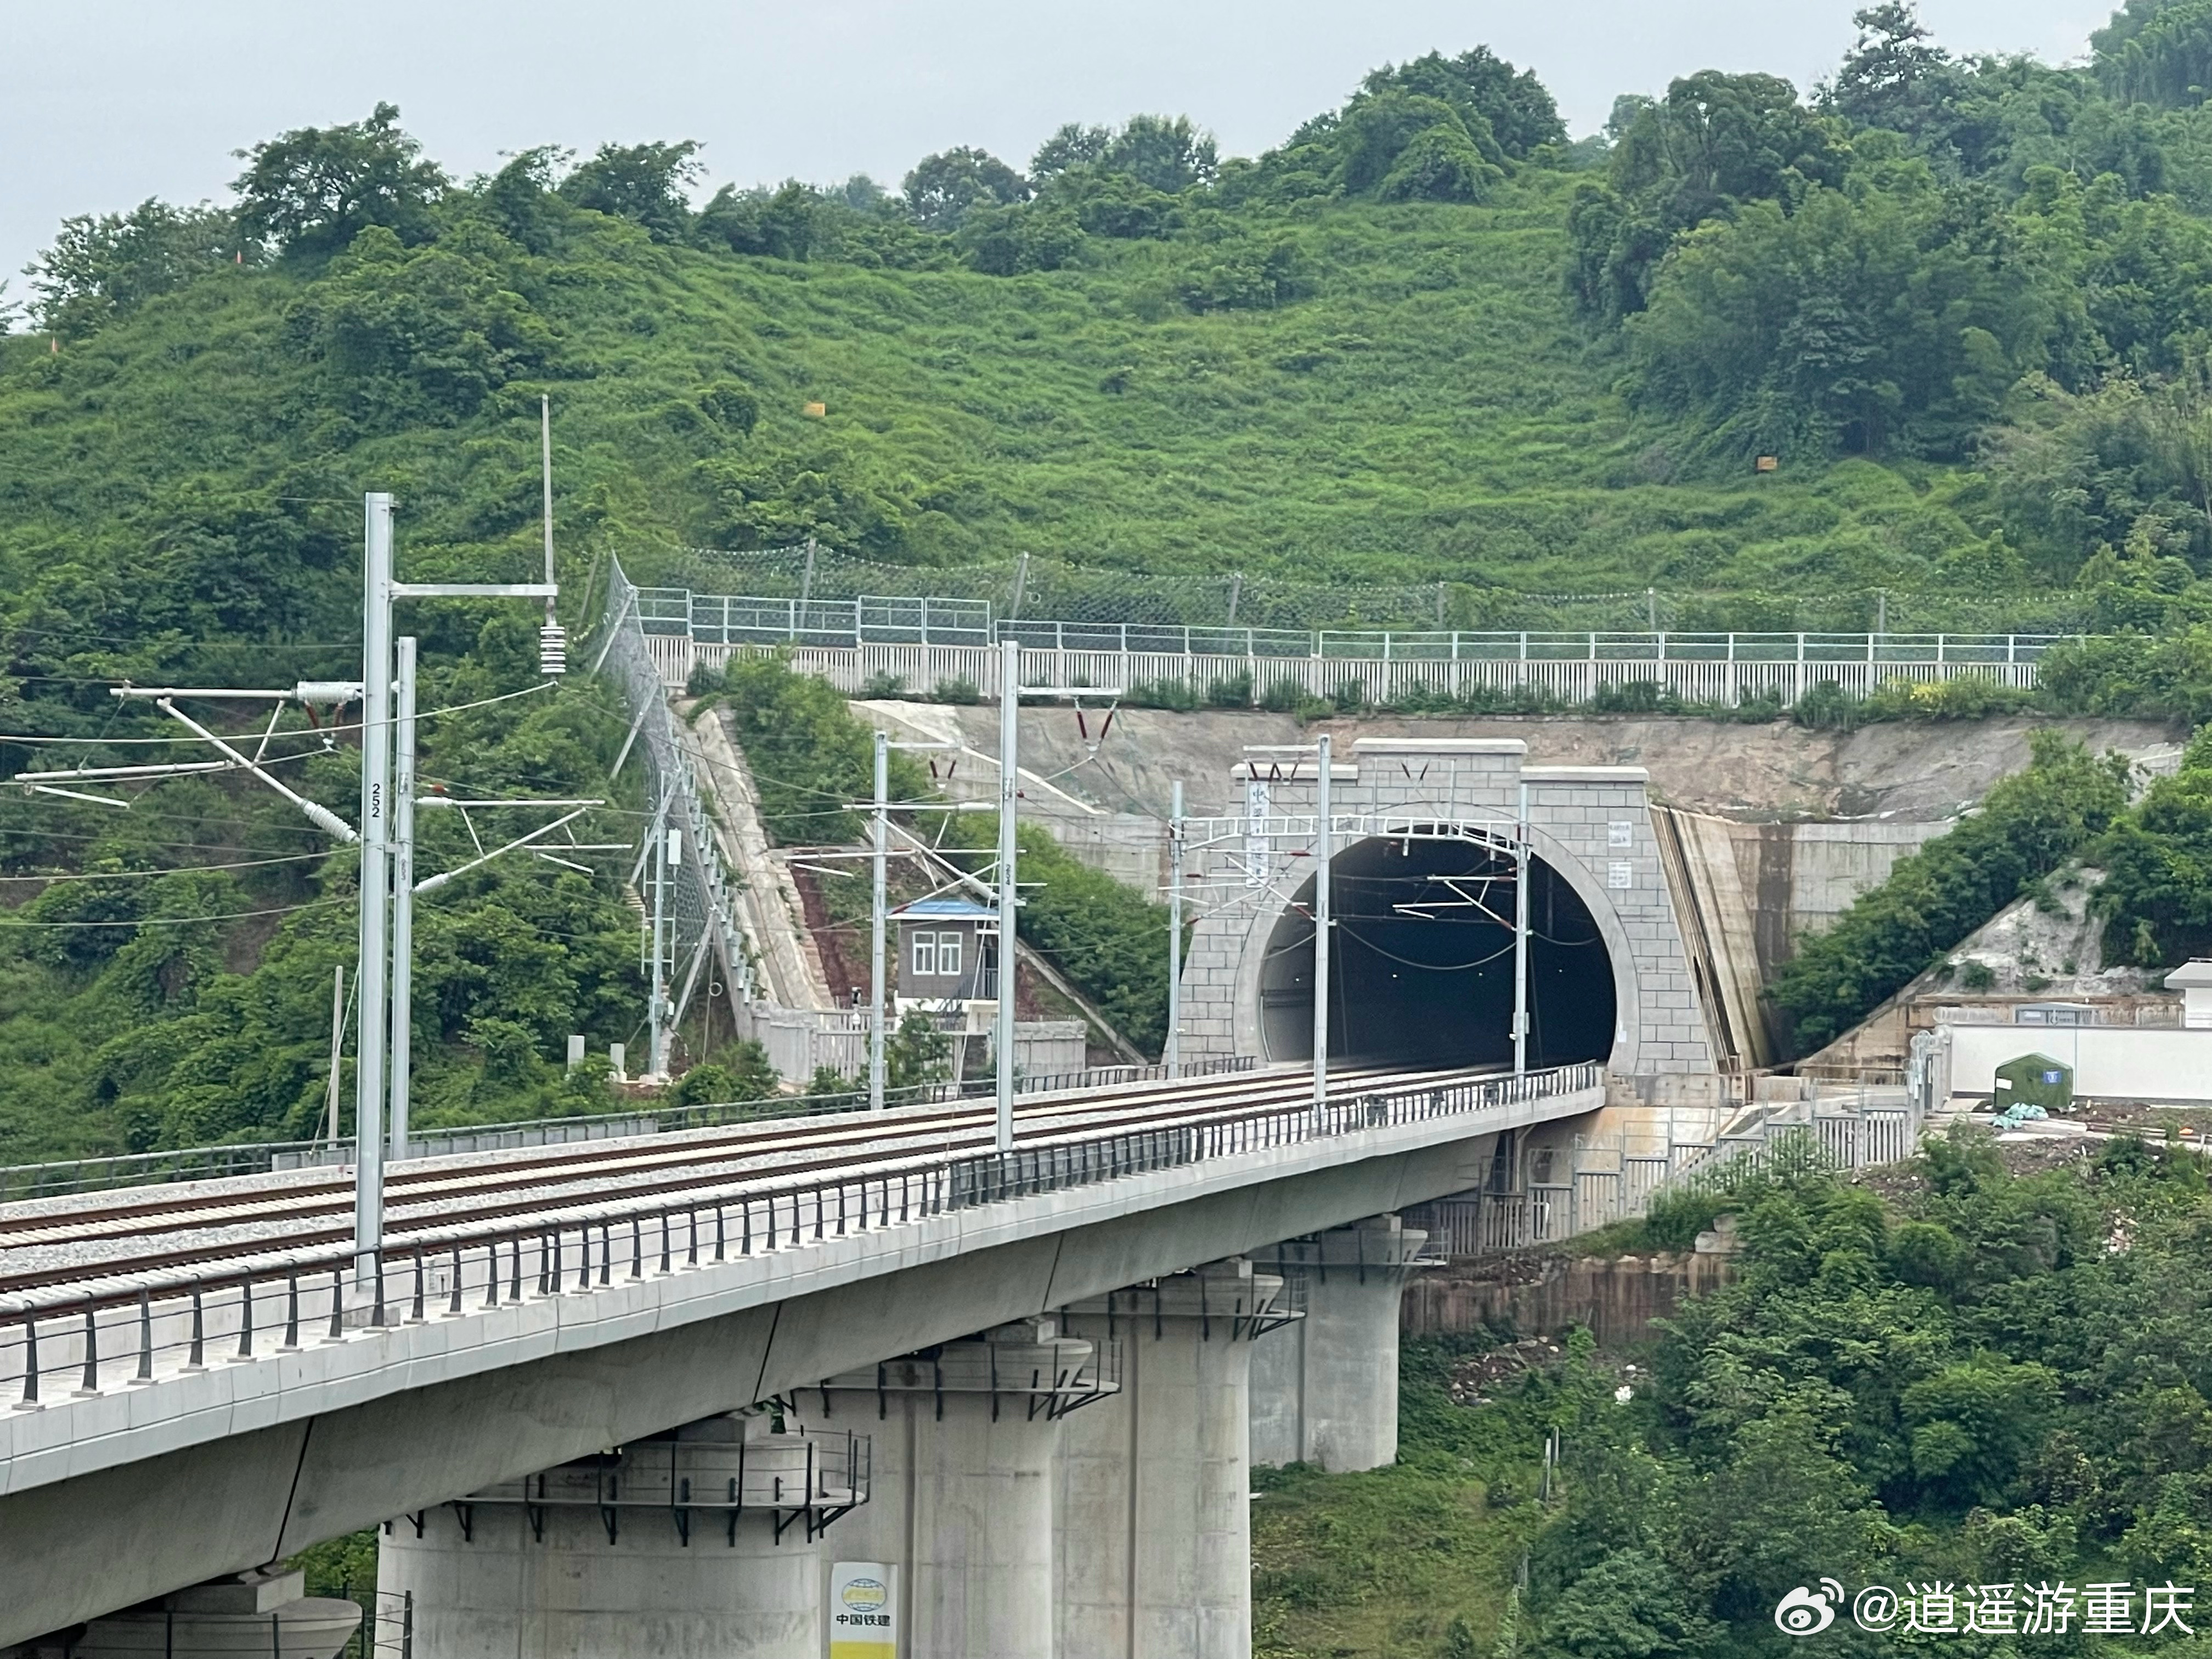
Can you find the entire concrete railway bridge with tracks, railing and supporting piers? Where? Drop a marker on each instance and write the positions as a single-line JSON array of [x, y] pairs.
[[667, 1395]]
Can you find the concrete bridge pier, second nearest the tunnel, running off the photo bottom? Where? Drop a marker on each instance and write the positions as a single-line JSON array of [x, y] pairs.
[[1156, 1519]]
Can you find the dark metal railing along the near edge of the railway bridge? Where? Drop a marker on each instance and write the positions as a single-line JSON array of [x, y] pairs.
[[92, 1331]]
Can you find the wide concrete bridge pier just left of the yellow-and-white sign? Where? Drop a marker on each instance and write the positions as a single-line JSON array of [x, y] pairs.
[[638, 1552]]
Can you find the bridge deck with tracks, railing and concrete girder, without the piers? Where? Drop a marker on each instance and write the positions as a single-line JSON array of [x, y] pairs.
[[550, 1304]]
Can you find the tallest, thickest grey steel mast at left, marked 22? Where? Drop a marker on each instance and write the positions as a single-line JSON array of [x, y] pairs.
[[375, 884]]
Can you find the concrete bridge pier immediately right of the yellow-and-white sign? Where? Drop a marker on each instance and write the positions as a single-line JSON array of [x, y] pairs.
[[966, 1477]]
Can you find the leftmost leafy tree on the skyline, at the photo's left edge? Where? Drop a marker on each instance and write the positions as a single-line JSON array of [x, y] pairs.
[[109, 267]]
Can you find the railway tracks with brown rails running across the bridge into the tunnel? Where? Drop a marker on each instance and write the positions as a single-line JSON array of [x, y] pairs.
[[198, 1224]]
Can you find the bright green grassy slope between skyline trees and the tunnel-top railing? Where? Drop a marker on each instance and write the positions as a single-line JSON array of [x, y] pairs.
[[1426, 410]]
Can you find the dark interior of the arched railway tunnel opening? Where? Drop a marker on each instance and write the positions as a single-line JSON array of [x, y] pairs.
[[1423, 963]]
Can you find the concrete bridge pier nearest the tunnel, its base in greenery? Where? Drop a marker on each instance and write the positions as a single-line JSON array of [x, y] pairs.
[[1326, 1388]]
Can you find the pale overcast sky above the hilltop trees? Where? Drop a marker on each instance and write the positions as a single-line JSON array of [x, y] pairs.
[[116, 101]]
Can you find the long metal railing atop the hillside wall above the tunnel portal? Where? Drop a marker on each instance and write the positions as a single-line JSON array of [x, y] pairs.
[[890, 620]]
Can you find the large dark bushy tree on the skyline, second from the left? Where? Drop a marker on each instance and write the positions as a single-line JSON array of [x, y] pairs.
[[320, 187]]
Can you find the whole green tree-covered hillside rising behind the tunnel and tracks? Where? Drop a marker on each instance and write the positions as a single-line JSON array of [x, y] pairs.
[[1423, 346]]
